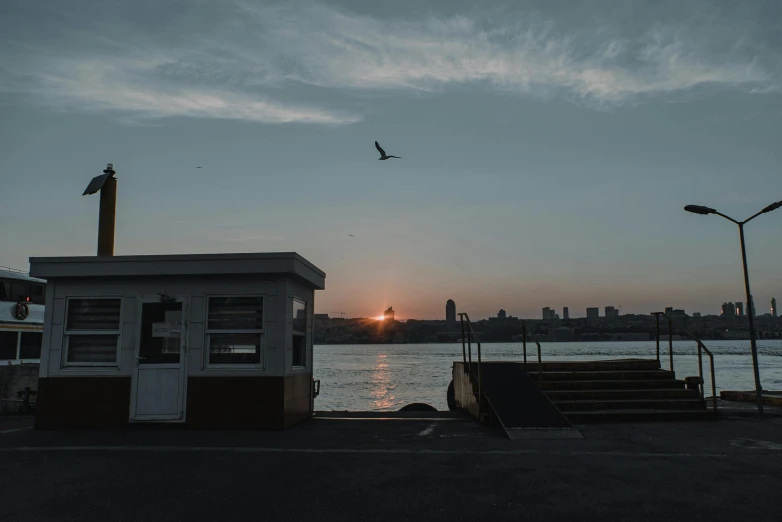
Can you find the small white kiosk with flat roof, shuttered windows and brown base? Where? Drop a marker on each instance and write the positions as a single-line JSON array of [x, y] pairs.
[[208, 340]]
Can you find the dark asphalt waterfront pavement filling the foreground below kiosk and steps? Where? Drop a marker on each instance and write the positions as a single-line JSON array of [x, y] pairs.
[[441, 467]]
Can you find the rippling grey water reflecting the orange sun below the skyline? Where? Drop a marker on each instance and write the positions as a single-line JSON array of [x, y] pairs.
[[385, 377]]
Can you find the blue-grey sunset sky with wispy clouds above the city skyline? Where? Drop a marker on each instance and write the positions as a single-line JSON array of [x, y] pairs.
[[547, 148]]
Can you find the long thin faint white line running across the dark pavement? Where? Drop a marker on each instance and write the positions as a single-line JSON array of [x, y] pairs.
[[378, 451]]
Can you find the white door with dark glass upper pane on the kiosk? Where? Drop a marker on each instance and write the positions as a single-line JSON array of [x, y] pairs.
[[158, 387]]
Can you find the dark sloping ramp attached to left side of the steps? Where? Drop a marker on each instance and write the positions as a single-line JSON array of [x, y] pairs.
[[523, 411]]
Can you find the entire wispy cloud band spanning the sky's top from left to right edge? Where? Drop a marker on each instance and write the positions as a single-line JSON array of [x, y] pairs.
[[284, 63]]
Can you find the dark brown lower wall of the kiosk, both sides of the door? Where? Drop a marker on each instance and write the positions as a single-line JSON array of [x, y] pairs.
[[212, 402]]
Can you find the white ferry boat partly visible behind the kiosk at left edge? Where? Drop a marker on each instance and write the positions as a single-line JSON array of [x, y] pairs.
[[22, 303]]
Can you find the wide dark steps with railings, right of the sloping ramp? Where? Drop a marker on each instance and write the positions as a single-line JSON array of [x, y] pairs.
[[617, 391]]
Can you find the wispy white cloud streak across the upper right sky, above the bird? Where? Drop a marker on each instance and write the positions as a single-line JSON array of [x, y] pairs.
[[338, 50]]
